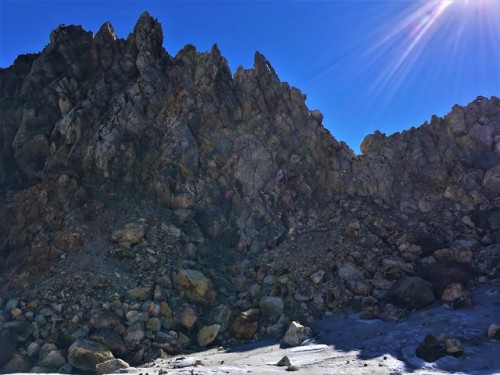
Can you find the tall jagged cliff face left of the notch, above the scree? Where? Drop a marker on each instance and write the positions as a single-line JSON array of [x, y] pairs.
[[125, 118]]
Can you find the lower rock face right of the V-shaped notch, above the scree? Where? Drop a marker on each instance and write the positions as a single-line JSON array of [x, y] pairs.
[[455, 158]]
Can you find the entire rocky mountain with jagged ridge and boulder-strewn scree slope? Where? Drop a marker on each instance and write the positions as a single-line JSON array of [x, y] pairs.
[[153, 204]]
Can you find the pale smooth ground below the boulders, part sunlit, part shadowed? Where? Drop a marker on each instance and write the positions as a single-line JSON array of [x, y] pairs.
[[345, 344]]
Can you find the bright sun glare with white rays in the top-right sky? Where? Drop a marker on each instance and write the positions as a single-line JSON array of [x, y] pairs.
[[426, 25]]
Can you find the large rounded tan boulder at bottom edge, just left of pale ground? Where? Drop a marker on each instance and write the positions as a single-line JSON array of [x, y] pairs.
[[86, 354]]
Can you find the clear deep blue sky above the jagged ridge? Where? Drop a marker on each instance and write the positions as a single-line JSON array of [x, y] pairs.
[[366, 65]]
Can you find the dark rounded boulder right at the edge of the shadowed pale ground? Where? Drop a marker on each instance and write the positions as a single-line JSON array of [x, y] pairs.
[[411, 292]]
